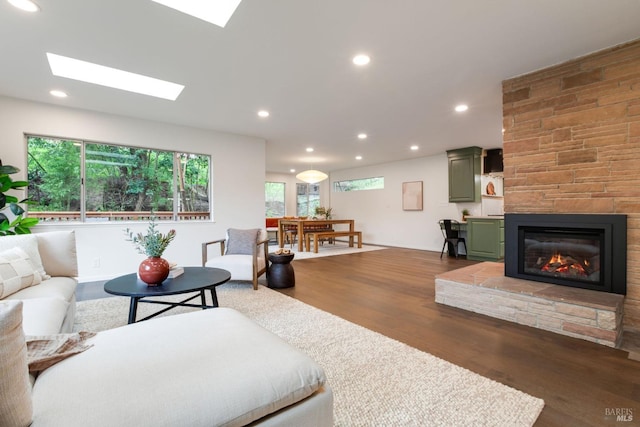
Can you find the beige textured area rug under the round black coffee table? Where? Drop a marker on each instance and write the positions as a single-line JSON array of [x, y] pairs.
[[376, 381]]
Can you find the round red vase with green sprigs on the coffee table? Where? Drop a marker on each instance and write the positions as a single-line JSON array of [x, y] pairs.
[[155, 269]]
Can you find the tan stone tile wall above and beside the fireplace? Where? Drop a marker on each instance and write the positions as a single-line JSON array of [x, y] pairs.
[[572, 145]]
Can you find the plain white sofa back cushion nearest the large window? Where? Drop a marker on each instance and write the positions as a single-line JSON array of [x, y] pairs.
[[58, 253]]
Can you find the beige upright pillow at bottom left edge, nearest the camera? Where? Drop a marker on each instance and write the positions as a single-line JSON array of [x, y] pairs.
[[16, 408]]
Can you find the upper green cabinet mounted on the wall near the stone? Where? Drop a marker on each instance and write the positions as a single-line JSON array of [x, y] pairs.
[[464, 174]]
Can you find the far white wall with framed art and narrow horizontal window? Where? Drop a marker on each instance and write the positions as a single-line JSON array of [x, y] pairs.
[[378, 213]]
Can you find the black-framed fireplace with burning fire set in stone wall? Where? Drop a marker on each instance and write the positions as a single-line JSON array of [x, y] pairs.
[[578, 250]]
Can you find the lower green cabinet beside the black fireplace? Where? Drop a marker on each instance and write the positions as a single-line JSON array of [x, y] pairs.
[[485, 238]]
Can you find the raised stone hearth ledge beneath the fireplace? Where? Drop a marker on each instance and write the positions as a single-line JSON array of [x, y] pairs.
[[581, 313]]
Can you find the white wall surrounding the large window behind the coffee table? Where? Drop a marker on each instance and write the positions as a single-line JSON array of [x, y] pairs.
[[238, 179]]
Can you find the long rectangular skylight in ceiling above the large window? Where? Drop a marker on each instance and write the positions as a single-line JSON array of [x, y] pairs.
[[76, 69]]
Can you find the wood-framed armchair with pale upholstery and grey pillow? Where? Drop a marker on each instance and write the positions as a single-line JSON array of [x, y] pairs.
[[243, 253]]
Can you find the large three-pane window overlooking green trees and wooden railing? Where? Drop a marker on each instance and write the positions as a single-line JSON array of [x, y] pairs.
[[84, 181]]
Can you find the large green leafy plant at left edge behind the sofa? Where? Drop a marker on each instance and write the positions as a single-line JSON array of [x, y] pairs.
[[19, 224]]
